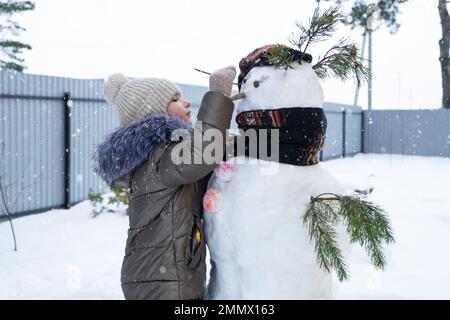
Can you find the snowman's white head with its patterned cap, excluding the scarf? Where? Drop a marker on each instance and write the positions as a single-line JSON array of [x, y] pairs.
[[267, 86]]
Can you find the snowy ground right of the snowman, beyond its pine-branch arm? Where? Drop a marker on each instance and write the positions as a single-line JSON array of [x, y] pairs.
[[414, 191]]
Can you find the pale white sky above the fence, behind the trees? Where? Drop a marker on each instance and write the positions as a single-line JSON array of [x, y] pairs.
[[94, 38]]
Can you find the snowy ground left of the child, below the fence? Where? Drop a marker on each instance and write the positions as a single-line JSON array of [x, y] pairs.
[[63, 254]]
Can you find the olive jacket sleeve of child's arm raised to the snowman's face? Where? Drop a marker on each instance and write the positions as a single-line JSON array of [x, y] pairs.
[[215, 112]]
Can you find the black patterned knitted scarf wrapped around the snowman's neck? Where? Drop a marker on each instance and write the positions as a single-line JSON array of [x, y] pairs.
[[301, 132]]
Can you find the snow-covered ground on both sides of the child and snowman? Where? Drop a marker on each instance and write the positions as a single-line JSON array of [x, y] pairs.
[[66, 254]]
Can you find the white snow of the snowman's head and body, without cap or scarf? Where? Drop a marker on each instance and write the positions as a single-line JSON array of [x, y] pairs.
[[258, 244]]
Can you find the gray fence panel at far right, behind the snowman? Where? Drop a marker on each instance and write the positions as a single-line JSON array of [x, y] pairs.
[[411, 132]]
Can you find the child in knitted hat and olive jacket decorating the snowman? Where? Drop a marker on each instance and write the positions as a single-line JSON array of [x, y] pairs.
[[165, 250]]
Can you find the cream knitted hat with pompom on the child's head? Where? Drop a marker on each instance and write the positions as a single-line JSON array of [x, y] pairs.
[[134, 99]]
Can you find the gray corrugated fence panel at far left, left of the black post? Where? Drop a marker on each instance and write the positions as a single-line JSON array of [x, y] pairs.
[[32, 166]]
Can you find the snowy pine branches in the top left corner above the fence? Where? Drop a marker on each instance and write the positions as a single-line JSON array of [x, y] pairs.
[[11, 48]]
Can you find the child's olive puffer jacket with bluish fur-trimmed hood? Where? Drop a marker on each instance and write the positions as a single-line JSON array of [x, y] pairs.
[[165, 250]]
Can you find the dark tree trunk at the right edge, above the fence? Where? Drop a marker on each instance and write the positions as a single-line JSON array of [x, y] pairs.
[[444, 53]]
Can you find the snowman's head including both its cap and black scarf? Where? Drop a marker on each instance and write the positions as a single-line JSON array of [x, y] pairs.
[[282, 93]]
